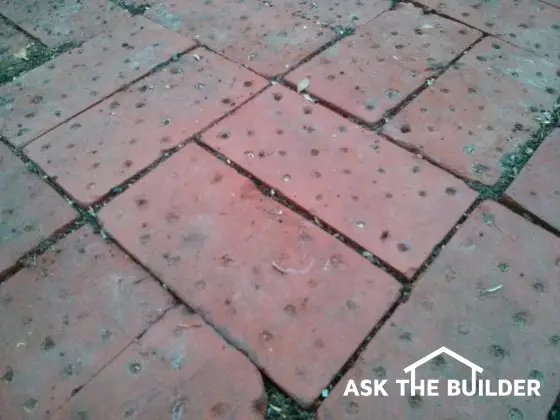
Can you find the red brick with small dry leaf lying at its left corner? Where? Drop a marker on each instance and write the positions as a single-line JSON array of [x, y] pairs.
[[367, 74]]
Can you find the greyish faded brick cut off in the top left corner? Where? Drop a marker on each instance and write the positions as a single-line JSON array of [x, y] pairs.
[[56, 22]]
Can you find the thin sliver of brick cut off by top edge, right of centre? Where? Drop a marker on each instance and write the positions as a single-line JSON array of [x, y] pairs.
[[335, 12]]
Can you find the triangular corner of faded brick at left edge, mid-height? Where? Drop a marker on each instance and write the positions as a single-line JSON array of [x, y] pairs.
[[30, 210]]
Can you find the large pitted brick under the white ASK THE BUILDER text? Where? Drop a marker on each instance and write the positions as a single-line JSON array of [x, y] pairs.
[[511, 332]]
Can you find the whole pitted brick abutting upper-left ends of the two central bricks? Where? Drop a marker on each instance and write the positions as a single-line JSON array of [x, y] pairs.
[[112, 141]]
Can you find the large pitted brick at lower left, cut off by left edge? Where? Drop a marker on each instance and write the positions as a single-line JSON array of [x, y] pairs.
[[66, 317]]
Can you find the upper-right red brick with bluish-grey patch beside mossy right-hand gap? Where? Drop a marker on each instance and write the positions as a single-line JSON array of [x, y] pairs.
[[477, 113]]
